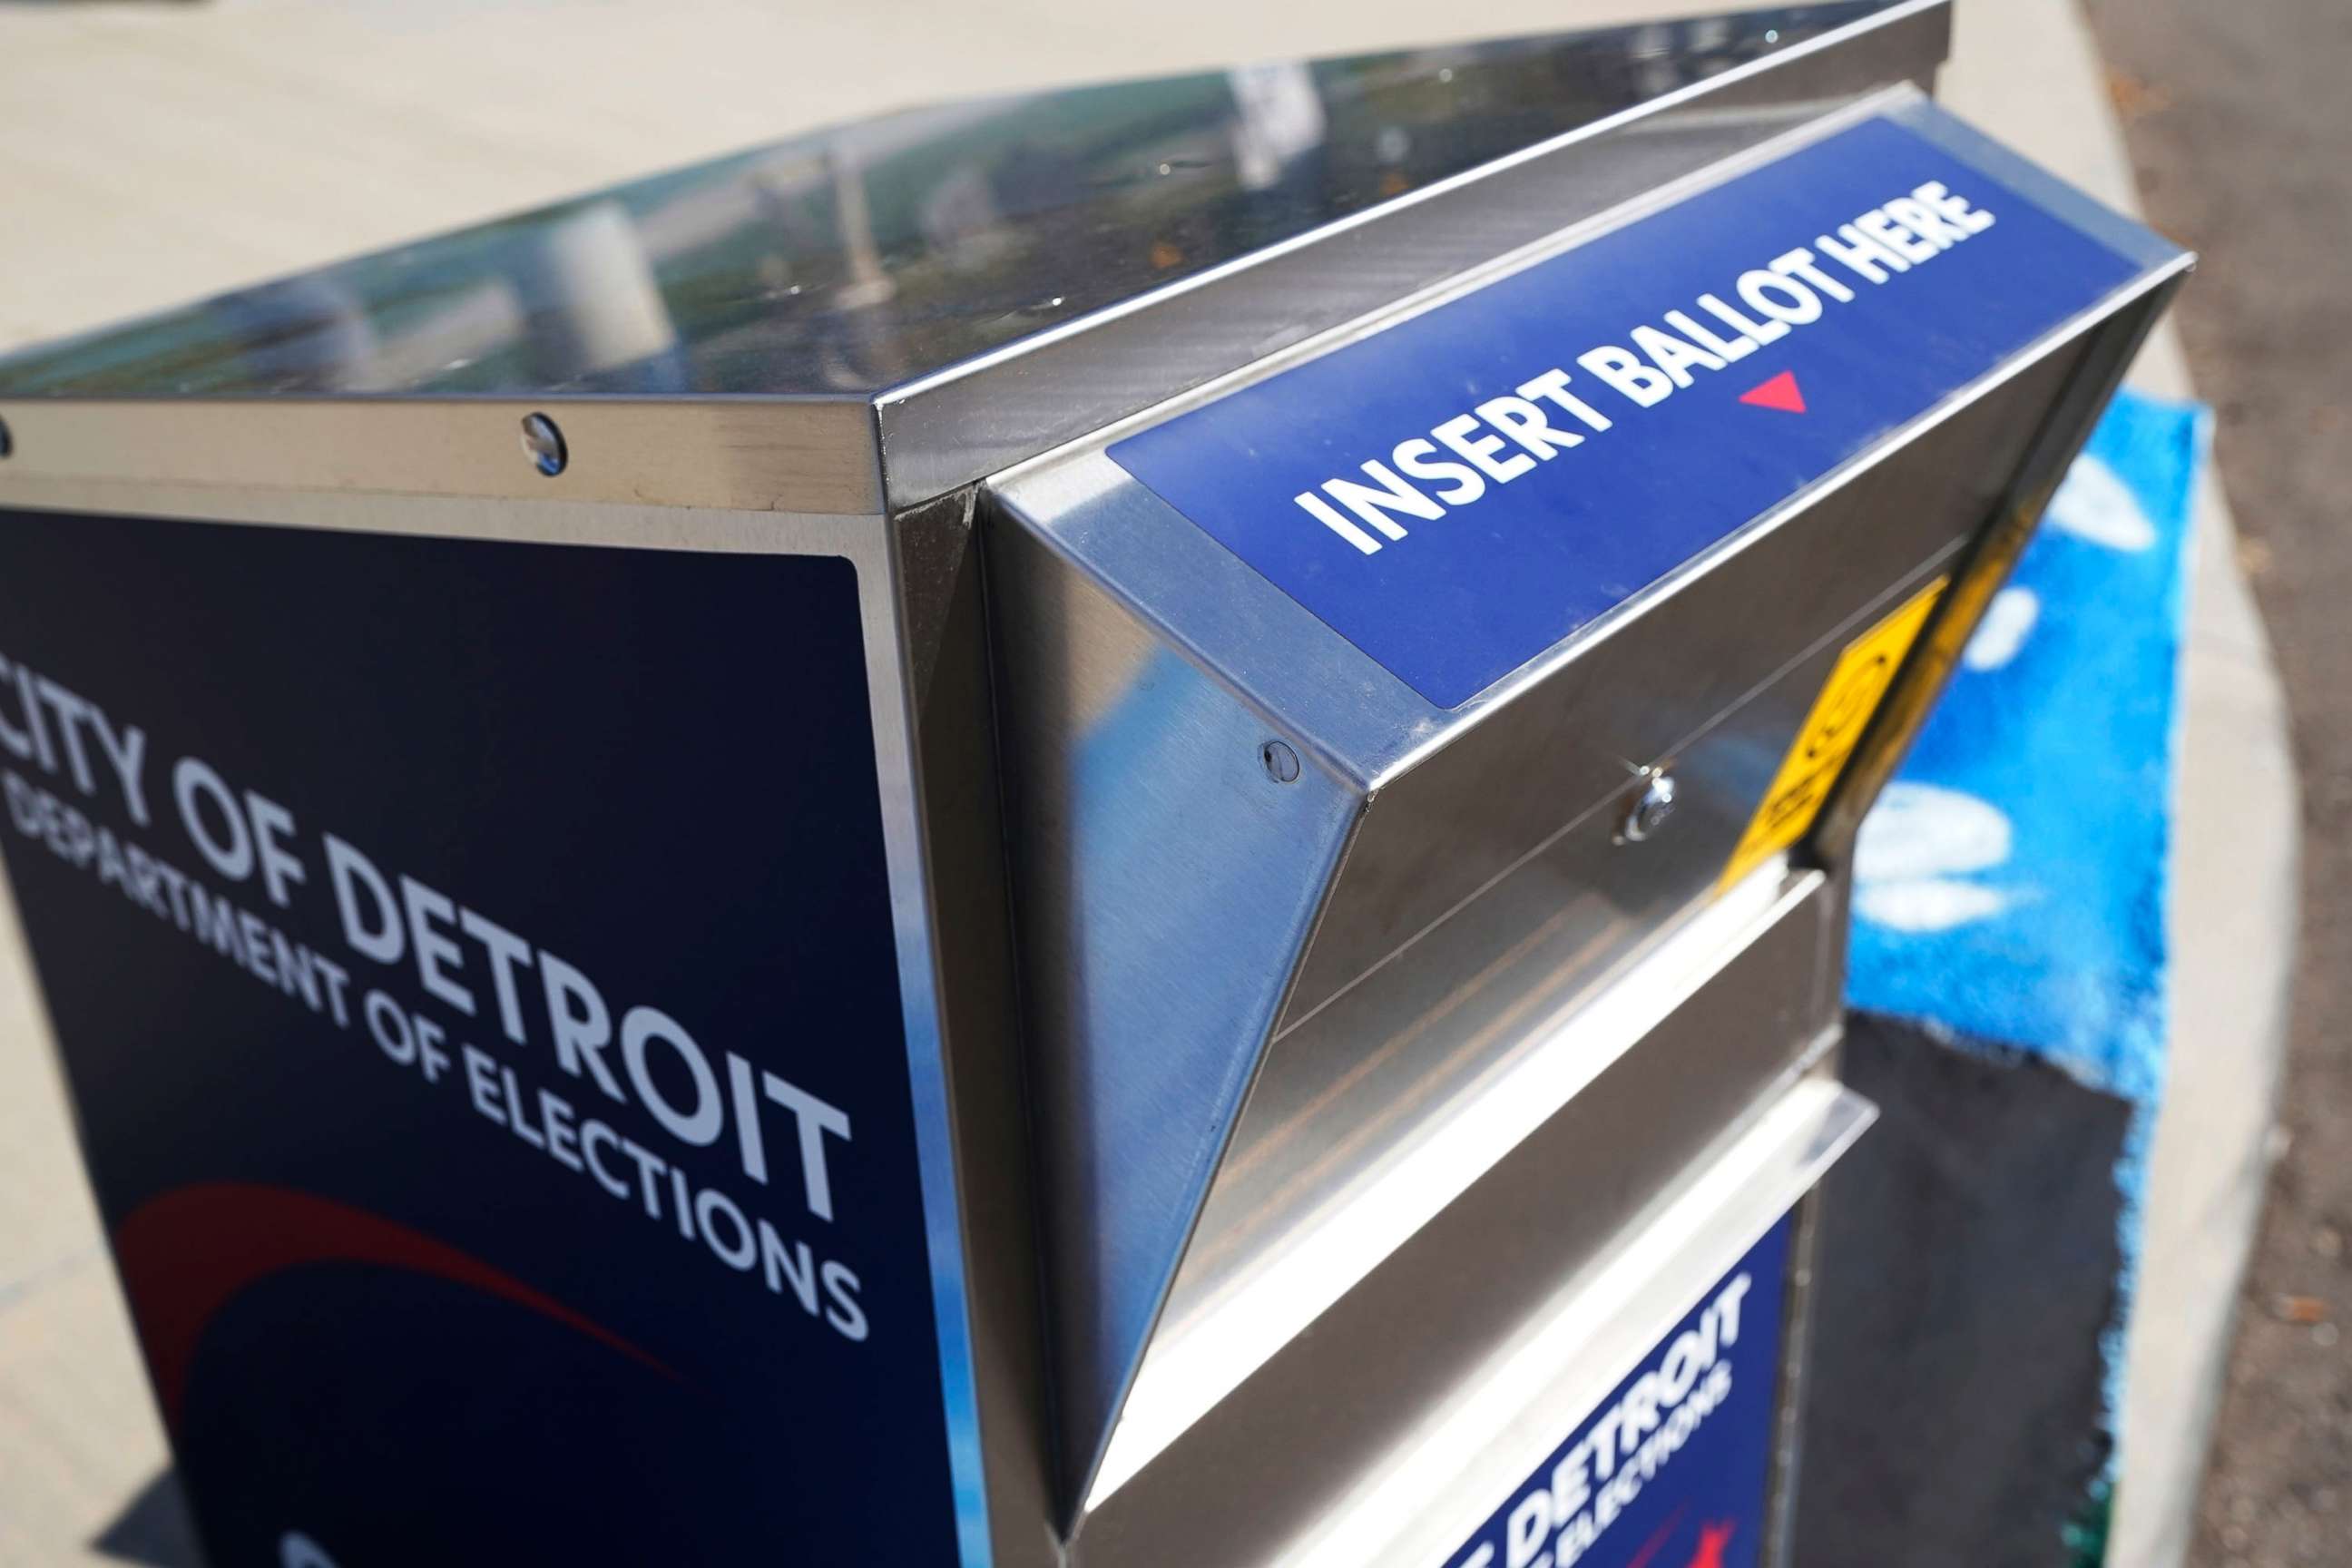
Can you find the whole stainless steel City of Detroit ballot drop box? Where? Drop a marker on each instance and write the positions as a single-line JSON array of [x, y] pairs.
[[1095, 829]]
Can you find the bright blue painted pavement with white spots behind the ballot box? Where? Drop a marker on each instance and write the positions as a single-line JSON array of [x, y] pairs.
[[2012, 880]]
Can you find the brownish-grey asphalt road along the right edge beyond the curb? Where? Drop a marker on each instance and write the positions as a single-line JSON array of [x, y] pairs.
[[2243, 142]]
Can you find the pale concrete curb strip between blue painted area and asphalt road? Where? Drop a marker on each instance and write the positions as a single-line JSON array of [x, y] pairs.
[[2031, 74]]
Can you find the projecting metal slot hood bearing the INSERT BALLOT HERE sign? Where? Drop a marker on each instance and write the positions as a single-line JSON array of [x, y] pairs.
[[1299, 857]]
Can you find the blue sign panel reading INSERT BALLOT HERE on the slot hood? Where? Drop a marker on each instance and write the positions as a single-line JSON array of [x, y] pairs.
[[1464, 490]]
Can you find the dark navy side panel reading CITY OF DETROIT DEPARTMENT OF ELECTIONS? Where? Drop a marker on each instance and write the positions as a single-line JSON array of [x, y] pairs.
[[474, 972]]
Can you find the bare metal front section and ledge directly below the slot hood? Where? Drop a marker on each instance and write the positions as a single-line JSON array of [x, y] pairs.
[[1429, 1393]]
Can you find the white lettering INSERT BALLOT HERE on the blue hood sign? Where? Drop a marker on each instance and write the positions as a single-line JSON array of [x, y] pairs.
[[1514, 436]]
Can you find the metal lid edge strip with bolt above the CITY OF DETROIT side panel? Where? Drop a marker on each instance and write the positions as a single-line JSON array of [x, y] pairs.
[[787, 455]]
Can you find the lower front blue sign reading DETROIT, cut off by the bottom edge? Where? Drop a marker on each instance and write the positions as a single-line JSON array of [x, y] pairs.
[[1673, 1468]]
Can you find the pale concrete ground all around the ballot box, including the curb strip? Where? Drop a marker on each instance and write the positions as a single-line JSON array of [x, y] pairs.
[[159, 154]]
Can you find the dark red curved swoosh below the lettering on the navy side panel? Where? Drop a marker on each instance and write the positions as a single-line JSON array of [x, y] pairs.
[[192, 1249]]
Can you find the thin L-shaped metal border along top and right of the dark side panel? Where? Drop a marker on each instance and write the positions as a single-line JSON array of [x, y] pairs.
[[871, 549]]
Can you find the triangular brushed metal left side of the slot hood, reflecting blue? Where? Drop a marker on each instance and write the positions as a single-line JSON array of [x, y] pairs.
[[1163, 887]]
